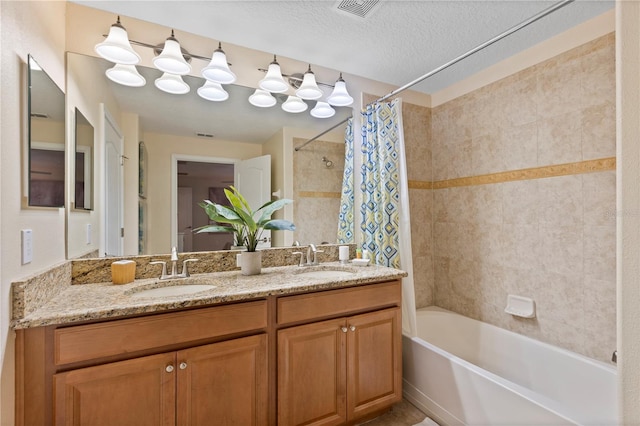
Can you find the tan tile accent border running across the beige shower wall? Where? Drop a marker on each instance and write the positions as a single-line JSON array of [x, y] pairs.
[[581, 167]]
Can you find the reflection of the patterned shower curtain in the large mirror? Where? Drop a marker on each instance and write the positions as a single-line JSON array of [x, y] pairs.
[[345, 217]]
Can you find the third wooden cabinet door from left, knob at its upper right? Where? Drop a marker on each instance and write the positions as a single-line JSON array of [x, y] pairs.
[[312, 374]]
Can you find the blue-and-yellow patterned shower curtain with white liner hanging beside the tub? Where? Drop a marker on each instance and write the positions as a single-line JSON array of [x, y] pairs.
[[386, 224]]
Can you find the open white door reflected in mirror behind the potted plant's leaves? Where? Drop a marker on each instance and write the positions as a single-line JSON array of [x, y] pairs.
[[253, 180]]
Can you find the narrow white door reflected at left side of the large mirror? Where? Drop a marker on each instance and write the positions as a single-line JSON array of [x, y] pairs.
[[113, 190]]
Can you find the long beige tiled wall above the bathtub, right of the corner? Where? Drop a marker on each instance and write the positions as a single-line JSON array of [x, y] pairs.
[[503, 226]]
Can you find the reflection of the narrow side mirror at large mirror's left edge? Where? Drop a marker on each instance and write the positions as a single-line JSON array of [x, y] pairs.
[[83, 188]]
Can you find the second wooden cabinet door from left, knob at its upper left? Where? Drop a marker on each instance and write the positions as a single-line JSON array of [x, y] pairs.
[[223, 383]]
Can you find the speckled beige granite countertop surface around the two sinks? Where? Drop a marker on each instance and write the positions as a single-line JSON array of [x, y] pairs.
[[75, 303]]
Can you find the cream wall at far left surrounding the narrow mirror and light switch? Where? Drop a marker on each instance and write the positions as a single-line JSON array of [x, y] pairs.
[[36, 28]]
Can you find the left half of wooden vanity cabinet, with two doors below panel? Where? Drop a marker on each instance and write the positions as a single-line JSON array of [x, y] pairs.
[[195, 367]]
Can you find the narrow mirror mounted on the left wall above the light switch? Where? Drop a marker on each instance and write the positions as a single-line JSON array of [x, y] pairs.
[[46, 139]]
